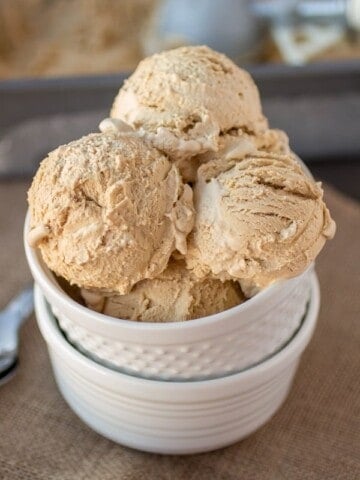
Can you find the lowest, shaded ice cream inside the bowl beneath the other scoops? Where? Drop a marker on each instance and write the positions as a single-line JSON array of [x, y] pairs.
[[175, 295]]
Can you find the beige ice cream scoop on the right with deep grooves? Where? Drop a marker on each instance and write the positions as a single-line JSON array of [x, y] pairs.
[[258, 220]]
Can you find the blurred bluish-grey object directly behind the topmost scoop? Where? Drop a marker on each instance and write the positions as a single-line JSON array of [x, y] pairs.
[[229, 26]]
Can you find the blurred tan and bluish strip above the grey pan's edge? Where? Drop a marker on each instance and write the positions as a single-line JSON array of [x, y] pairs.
[[77, 37]]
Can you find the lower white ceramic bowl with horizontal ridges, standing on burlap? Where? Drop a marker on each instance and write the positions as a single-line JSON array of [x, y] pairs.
[[173, 417]]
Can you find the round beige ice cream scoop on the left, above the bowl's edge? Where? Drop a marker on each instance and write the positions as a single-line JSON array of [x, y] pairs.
[[107, 211]]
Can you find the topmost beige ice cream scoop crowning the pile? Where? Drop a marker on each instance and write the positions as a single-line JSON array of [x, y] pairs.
[[185, 101]]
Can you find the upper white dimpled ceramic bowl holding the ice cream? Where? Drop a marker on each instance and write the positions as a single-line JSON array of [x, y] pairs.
[[208, 347]]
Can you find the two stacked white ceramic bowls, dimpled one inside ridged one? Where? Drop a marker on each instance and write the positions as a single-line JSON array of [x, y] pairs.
[[179, 387]]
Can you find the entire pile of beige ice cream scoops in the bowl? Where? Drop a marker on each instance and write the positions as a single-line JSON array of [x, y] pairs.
[[114, 213]]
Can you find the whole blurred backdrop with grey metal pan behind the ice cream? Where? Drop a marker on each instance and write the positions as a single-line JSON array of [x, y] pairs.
[[62, 62]]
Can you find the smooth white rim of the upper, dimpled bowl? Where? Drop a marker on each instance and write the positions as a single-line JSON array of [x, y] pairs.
[[45, 278]]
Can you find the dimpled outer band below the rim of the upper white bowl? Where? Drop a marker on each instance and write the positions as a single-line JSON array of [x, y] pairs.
[[242, 343]]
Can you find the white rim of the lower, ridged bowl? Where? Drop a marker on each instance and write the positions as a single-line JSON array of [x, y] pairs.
[[292, 349]]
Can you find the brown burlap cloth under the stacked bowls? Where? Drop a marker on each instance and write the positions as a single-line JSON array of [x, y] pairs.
[[315, 435]]
